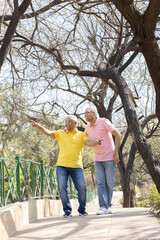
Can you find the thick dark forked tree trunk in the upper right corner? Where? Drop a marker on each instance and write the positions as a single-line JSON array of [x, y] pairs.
[[144, 26]]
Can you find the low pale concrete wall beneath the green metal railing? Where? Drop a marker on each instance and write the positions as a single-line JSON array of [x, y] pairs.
[[18, 215]]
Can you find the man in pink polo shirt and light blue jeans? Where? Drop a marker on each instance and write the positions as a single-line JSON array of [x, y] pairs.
[[105, 156]]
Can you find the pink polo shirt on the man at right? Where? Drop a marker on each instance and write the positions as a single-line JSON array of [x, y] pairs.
[[101, 130]]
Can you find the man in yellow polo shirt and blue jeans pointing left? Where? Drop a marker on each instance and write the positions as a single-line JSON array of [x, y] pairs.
[[70, 161]]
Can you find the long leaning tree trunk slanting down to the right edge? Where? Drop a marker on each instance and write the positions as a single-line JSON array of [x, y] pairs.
[[143, 146]]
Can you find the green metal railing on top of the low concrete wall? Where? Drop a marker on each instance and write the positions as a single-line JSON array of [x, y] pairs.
[[21, 179]]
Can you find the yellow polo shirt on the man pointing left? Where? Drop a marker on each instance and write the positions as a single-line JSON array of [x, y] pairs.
[[71, 148]]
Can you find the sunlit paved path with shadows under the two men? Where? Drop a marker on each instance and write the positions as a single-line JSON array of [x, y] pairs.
[[123, 224]]
